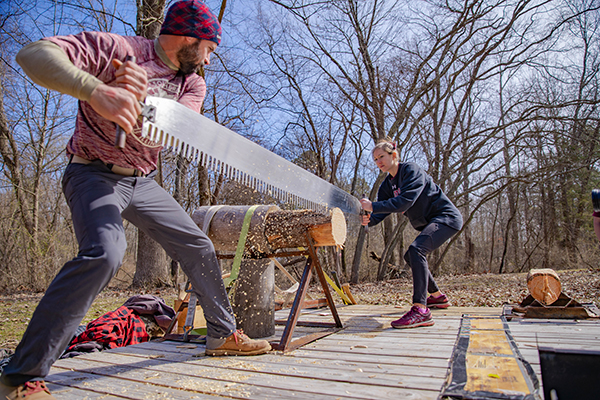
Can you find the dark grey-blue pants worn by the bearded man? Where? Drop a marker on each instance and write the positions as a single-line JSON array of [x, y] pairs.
[[99, 200]]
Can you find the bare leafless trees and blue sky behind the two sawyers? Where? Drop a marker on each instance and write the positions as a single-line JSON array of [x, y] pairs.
[[497, 100]]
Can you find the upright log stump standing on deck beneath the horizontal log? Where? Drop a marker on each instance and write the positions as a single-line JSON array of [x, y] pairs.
[[254, 298]]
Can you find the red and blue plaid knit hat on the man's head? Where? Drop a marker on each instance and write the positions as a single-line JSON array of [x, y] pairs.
[[192, 18]]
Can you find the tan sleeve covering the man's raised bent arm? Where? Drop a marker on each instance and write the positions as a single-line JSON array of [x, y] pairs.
[[49, 66]]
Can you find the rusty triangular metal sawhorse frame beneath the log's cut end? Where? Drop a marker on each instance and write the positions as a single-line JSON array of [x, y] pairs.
[[286, 343]]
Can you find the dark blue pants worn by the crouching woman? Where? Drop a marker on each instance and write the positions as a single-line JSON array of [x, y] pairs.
[[430, 238]]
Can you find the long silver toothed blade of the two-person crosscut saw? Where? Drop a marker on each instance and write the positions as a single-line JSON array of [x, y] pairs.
[[223, 151]]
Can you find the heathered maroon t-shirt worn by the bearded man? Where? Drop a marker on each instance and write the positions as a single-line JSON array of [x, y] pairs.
[[94, 136]]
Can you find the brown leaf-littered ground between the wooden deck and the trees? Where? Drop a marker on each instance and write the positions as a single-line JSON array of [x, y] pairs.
[[482, 290]]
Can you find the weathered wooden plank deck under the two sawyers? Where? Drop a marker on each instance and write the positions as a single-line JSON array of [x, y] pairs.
[[366, 360]]
